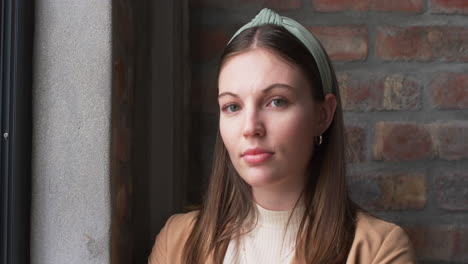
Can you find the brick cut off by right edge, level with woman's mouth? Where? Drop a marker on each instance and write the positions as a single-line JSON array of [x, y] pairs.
[[451, 139]]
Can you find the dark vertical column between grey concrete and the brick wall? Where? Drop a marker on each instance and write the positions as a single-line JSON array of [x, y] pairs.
[[150, 113]]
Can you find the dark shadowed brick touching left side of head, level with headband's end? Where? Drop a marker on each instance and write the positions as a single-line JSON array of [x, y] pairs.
[[208, 44]]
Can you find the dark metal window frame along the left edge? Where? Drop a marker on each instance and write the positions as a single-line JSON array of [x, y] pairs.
[[17, 29]]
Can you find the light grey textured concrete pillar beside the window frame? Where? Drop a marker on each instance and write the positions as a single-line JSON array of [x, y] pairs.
[[71, 132]]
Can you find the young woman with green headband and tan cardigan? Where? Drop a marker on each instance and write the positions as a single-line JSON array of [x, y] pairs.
[[278, 191]]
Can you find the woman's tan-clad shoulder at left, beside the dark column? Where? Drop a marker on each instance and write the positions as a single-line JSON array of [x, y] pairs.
[[169, 242]]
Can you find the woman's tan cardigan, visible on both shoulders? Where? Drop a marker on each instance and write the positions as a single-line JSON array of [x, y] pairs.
[[375, 242]]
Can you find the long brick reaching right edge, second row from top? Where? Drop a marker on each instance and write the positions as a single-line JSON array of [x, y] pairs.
[[422, 43]]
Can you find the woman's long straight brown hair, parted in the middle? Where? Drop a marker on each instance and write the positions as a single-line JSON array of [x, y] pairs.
[[327, 228]]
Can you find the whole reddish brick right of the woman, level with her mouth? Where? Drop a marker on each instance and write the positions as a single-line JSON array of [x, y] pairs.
[[402, 141]]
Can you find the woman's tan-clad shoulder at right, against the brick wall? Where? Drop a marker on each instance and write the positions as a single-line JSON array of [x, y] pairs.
[[378, 241]]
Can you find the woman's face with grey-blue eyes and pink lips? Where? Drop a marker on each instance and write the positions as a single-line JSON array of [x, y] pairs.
[[268, 119]]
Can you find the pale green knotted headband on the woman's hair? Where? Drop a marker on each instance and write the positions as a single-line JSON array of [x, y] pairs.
[[267, 16]]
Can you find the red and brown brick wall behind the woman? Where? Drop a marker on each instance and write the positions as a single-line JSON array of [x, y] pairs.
[[402, 69]]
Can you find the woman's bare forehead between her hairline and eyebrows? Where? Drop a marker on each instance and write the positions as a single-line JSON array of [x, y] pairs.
[[257, 69]]
